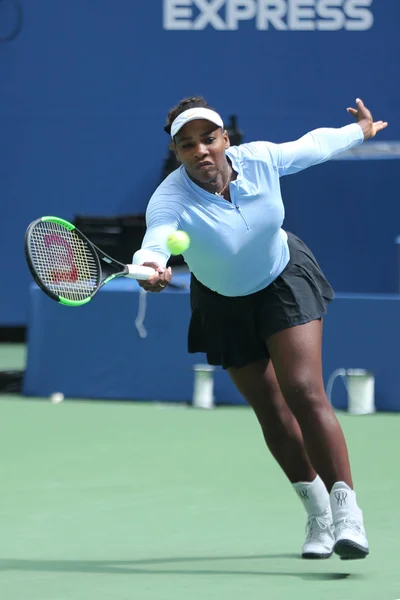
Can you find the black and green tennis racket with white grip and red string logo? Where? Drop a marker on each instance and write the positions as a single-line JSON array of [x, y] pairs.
[[67, 266]]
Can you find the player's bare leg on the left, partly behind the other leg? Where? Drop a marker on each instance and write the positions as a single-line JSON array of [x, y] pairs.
[[258, 384]]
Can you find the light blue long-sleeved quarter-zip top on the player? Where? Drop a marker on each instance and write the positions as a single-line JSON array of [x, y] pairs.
[[238, 247]]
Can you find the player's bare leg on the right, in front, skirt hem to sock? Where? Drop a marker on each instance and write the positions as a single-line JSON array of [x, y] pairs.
[[296, 356]]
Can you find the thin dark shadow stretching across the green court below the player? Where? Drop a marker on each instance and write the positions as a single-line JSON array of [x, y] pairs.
[[146, 566]]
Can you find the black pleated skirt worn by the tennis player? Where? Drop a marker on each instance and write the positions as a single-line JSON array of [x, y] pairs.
[[232, 331]]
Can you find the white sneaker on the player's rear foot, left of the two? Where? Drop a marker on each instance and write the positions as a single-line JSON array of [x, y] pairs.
[[320, 537]]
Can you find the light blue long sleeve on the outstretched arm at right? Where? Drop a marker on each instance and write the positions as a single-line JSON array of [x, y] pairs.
[[314, 148]]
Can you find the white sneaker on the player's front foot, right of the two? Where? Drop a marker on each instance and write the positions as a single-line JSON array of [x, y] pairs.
[[351, 541]]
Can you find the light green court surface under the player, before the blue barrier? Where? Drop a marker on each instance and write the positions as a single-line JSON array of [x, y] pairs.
[[104, 500]]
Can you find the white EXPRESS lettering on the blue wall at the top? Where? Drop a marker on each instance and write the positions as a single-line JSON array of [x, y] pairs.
[[281, 15]]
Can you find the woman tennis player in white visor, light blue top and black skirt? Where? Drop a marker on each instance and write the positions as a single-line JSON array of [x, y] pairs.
[[258, 297]]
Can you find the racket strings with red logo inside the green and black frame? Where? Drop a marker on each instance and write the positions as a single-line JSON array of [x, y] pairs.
[[63, 261]]
